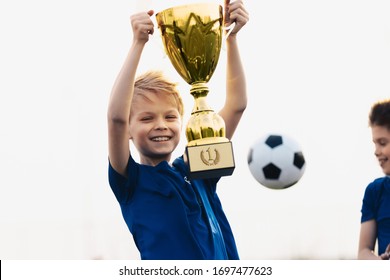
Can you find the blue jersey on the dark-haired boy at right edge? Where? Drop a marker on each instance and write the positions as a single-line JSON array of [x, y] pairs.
[[376, 205]]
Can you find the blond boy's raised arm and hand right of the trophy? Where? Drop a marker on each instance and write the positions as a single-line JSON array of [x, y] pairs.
[[236, 99]]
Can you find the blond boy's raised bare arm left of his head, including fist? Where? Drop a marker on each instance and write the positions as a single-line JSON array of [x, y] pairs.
[[118, 112]]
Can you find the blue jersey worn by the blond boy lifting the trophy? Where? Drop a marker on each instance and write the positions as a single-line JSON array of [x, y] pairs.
[[171, 217]]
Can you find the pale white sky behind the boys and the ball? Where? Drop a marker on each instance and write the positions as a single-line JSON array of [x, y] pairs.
[[313, 70]]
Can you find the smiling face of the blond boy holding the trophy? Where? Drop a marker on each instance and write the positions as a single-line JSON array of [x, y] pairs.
[[155, 126]]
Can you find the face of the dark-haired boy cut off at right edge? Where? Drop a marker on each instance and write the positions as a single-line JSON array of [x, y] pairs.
[[381, 139]]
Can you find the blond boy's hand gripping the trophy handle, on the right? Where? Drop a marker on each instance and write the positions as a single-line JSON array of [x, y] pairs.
[[235, 12]]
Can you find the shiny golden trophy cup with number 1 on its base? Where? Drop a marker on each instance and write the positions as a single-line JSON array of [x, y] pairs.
[[192, 38]]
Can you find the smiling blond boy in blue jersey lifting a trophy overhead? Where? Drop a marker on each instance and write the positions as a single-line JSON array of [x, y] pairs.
[[169, 216]]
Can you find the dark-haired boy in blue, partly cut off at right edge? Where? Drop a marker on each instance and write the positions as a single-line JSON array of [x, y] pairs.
[[375, 220]]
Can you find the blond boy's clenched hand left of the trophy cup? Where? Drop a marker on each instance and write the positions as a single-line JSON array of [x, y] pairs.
[[142, 26]]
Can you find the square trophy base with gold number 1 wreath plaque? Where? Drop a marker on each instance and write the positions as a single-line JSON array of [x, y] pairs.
[[210, 160]]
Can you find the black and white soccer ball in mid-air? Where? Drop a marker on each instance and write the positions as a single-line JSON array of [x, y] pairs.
[[276, 161]]
